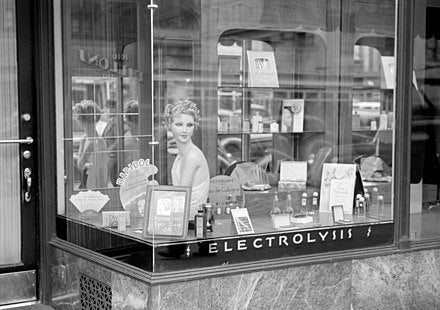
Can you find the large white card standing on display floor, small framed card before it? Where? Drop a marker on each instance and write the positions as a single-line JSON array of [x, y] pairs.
[[345, 174]]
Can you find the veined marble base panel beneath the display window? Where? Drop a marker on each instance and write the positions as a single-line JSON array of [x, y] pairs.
[[403, 281]]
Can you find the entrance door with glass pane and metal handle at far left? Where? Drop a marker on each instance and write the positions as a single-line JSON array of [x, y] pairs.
[[18, 169]]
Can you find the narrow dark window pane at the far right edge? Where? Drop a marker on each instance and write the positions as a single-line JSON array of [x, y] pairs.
[[425, 148]]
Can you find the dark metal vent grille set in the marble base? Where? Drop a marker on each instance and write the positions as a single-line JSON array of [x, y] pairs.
[[94, 294]]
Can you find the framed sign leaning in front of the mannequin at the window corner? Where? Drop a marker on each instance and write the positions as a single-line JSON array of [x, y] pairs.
[[167, 211]]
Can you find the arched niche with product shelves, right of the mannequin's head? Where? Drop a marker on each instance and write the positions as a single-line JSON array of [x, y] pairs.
[[266, 97]]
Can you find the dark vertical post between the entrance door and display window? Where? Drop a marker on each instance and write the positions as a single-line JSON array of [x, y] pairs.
[[40, 13]]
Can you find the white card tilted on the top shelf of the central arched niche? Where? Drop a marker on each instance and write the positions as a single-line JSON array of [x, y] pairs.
[[262, 69]]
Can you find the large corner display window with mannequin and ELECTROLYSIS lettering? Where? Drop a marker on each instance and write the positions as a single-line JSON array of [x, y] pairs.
[[223, 132]]
